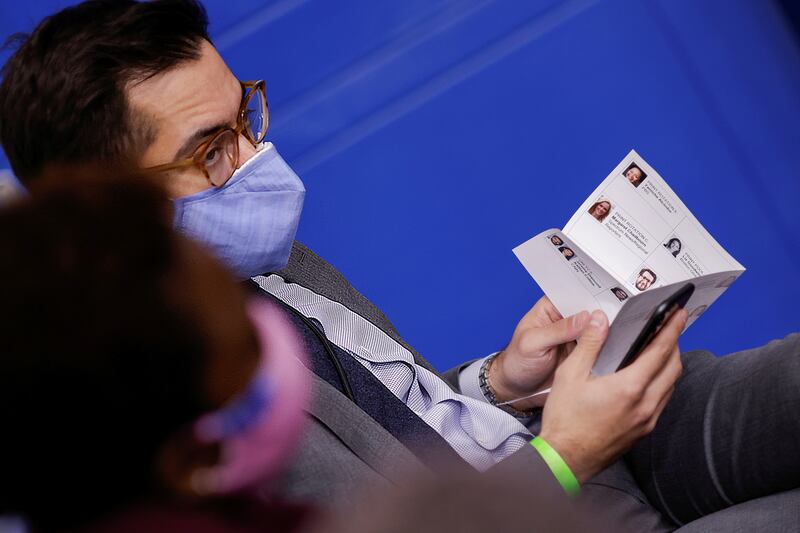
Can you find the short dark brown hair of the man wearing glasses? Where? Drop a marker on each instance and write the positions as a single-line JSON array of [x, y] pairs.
[[62, 98]]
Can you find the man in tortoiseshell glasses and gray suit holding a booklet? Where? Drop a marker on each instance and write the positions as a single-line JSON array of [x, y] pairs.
[[121, 82]]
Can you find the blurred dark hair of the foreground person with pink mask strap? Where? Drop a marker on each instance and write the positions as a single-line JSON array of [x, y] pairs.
[[99, 364]]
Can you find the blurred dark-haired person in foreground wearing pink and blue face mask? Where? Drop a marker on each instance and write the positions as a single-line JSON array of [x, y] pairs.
[[140, 390]]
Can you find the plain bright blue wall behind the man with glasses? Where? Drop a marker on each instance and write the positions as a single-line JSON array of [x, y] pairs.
[[435, 135]]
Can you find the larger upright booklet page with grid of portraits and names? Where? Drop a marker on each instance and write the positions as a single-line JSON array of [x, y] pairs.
[[640, 232]]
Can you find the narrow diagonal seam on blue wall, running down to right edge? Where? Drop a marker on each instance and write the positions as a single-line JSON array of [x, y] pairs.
[[735, 146]]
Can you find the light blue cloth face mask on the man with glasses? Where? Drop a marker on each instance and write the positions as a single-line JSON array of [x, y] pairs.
[[250, 222]]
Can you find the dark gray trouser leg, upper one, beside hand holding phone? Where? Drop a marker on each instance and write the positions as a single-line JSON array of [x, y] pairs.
[[731, 433]]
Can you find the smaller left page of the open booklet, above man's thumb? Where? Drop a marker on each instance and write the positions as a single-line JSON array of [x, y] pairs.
[[568, 276]]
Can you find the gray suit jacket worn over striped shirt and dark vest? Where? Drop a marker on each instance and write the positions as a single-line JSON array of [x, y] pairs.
[[344, 450]]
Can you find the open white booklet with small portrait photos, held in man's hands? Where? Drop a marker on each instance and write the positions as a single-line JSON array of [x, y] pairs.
[[627, 248]]
